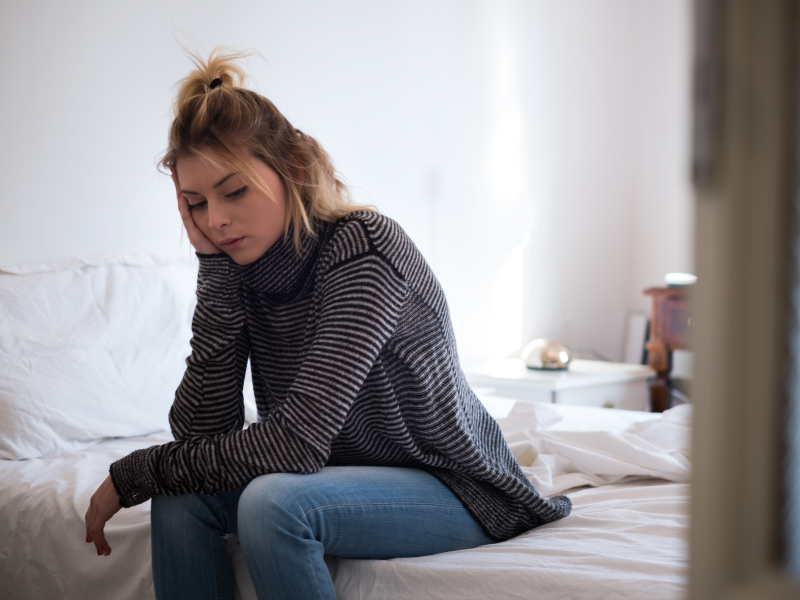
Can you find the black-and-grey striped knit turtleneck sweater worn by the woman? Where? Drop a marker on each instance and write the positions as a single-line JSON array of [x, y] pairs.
[[354, 363]]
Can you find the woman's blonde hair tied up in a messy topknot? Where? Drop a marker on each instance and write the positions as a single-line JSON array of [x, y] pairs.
[[223, 123]]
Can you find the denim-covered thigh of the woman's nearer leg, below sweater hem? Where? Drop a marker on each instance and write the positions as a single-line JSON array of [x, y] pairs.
[[373, 512]]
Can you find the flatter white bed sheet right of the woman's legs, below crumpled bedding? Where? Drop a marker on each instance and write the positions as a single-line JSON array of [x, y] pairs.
[[621, 541]]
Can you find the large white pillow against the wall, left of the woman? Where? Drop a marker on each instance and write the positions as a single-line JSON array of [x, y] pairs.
[[90, 349]]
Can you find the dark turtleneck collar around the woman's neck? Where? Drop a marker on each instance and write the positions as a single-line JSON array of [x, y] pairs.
[[281, 269]]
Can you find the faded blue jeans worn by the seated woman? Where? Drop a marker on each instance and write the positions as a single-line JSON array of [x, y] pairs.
[[287, 522]]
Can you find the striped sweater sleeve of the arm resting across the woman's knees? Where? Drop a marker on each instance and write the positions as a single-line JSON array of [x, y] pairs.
[[358, 302]]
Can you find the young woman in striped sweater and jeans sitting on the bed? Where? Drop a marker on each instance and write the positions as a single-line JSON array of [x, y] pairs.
[[370, 444]]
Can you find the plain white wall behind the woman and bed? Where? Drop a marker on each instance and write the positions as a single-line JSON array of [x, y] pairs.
[[536, 151]]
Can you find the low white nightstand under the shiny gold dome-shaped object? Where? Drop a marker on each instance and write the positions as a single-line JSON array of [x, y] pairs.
[[586, 382]]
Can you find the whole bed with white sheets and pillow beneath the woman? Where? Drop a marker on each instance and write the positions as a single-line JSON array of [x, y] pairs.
[[626, 472]]
